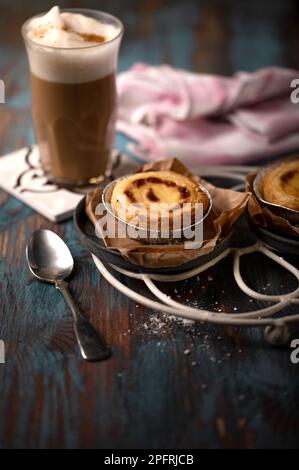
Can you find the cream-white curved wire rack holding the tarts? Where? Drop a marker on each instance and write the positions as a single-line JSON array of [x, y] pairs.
[[276, 327]]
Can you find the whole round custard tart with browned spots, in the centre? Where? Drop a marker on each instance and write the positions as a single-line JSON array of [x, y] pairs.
[[157, 196]]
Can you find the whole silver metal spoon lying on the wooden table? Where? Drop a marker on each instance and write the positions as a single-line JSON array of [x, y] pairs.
[[50, 260]]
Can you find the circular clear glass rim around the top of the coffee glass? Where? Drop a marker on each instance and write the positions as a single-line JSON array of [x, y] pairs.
[[74, 10]]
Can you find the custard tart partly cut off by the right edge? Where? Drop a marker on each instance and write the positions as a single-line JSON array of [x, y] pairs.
[[281, 185]]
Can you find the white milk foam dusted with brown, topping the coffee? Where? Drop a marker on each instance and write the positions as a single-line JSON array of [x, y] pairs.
[[59, 47]]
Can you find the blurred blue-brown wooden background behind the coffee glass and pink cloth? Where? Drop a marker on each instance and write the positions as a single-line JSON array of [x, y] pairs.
[[210, 36]]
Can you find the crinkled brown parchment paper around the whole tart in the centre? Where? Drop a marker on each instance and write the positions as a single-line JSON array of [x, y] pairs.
[[227, 207]]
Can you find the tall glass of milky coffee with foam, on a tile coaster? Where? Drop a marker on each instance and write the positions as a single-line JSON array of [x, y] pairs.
[[73, 58]]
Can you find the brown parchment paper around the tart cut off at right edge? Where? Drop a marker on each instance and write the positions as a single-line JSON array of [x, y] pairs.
[[264, 217]]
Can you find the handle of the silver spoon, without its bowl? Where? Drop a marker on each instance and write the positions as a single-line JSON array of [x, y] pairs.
[[92, 347]]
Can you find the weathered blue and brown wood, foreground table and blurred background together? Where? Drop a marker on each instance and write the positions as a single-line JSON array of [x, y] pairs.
[[232, 390]]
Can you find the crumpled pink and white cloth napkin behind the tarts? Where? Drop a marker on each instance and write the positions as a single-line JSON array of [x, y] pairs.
[[206, 119]]
